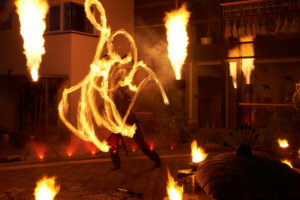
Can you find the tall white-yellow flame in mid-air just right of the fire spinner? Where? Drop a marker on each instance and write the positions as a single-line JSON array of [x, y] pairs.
[[176, 24]]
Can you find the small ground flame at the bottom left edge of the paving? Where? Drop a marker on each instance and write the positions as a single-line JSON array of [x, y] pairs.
[[46, 189]]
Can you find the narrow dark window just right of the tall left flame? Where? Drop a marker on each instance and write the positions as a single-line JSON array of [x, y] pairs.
[[53, 18]]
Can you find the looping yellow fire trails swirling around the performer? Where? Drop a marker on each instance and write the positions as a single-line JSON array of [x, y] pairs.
[[99, 83]]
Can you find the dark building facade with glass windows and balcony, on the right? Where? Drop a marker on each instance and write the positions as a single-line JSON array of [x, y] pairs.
[[215, 28]]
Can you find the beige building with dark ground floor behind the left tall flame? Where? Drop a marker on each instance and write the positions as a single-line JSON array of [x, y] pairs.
[[30, 108]]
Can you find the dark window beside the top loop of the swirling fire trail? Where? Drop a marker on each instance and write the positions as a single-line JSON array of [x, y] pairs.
[[75, 18]]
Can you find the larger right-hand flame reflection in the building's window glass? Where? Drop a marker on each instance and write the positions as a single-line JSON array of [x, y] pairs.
[[247, 50]]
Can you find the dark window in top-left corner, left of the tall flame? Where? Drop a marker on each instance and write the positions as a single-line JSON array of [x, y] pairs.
[[5, 13]]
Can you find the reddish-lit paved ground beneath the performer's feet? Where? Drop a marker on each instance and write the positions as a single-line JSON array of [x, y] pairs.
[[95, 175]]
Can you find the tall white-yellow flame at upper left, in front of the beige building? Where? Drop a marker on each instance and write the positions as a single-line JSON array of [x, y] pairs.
[[32, 14]]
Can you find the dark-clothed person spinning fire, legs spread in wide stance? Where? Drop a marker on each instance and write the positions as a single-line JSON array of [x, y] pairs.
[[122, 101]]
